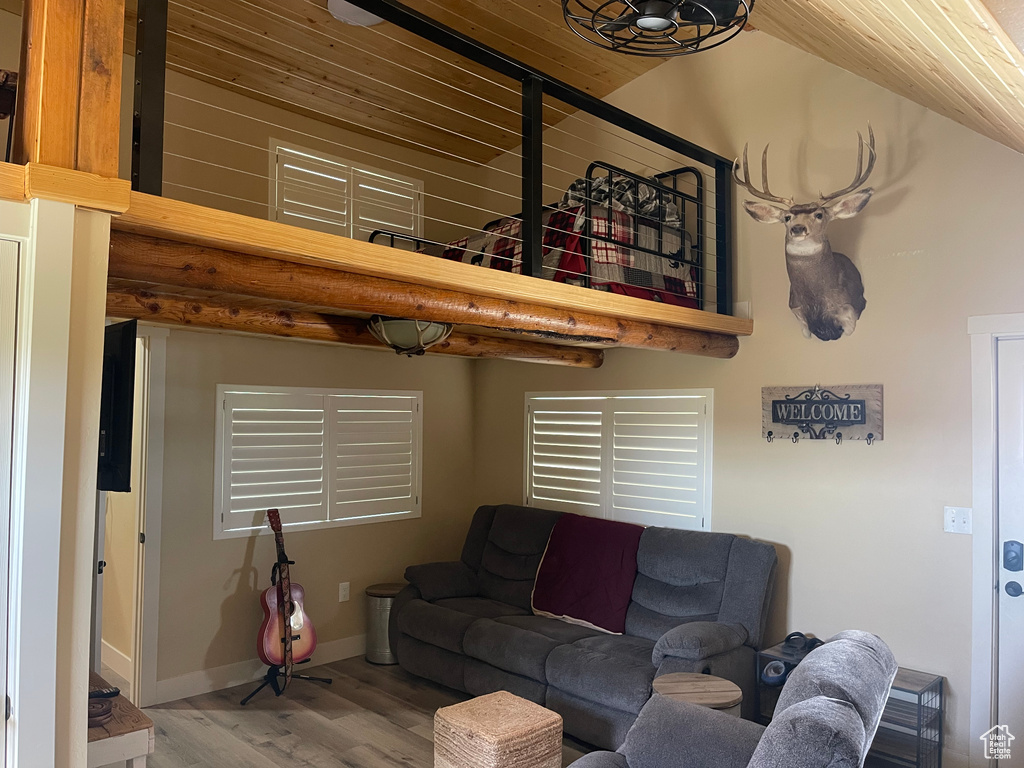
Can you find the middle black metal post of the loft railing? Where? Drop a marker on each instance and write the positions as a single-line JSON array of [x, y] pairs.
[[533, 176]]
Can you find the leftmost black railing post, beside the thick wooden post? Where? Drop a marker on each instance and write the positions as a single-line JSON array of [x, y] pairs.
[[148, 111]]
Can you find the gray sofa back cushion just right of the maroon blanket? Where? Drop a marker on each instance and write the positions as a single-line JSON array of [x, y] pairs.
[[680, 578]]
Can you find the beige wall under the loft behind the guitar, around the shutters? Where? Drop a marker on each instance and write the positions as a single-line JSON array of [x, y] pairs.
[[209, 590]]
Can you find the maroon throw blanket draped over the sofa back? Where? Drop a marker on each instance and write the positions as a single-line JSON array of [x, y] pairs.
[[588, 571]]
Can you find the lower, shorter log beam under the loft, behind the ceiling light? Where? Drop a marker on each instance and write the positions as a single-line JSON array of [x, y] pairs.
[[224, 315]]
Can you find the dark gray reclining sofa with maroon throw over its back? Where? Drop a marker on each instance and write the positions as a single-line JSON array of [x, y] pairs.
[[699, 605]]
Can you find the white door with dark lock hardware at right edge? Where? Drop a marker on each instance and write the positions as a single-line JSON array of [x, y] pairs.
[[1010, 538]]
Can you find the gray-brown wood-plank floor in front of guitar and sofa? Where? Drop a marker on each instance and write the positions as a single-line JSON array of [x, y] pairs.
[[370, 717]]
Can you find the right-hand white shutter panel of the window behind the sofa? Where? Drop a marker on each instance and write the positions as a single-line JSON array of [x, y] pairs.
[[659, 463]]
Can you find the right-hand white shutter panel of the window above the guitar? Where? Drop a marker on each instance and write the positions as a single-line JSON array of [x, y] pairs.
[[375, 455]]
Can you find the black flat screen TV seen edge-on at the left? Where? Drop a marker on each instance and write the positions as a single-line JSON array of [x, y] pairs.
[[117, 408]]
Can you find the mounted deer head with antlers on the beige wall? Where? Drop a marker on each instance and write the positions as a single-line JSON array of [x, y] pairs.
[[826, 290]]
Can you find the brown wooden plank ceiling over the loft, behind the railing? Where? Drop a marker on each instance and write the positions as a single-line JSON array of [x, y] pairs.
[[382, 80]]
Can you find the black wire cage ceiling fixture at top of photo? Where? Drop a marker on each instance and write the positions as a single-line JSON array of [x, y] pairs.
[[657, 28]]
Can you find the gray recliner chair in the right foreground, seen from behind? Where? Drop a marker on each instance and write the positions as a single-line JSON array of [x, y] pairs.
[[827, 716]]
